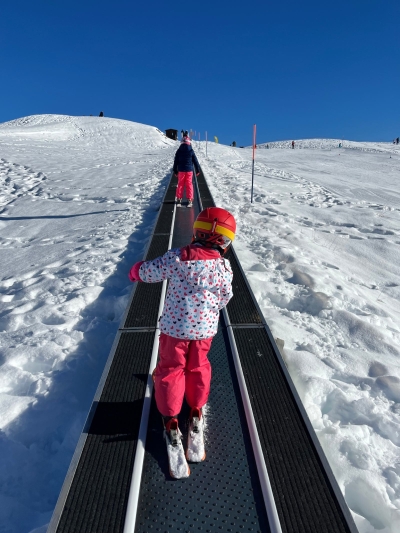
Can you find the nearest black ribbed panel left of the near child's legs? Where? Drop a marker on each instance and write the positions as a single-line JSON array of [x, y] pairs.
[[96, 501]]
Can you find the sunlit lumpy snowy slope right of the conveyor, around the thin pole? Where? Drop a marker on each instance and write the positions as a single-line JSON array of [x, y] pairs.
[[321, 248]]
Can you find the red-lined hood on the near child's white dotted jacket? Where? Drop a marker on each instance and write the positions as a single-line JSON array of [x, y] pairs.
[[201, 267]]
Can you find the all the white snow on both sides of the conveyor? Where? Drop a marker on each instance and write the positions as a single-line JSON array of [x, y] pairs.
[[320, 246]]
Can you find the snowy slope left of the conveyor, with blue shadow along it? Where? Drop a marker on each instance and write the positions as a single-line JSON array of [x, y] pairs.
[[78, 197]]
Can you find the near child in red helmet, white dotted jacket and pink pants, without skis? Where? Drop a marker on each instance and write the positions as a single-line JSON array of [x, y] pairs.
[[200, 286]]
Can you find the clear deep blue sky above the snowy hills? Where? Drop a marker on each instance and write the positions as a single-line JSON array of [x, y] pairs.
[[296, 69]]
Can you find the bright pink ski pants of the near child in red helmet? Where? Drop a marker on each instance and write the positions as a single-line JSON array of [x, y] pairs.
[[183, 370]]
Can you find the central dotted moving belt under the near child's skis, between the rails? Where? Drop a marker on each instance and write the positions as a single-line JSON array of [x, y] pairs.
[[222, 493]]
